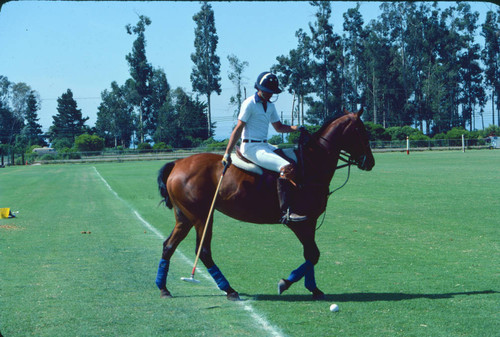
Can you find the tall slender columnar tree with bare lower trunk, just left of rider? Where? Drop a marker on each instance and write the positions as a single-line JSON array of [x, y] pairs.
[[205, 76]]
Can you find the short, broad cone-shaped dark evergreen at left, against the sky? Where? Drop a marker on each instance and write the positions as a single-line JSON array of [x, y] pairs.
[[68, 122]]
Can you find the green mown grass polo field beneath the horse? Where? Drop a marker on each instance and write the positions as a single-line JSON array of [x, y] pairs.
[[409, 249]]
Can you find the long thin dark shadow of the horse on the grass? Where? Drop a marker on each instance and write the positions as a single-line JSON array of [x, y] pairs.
[[365, 297]]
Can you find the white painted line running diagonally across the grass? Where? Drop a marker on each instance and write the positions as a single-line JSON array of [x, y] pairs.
[[259, 319]]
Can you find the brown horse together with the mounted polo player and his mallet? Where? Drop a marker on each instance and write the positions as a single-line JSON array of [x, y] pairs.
[[190, 186]]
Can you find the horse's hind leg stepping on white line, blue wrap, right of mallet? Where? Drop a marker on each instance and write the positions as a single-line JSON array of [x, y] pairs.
[[206, 258]]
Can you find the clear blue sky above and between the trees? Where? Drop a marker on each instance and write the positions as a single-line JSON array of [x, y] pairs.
[[53, 46]]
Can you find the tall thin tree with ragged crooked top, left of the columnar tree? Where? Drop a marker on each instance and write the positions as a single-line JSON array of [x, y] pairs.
[[140, 70]]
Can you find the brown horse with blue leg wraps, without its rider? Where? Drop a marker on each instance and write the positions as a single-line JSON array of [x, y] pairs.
[[188, 186]]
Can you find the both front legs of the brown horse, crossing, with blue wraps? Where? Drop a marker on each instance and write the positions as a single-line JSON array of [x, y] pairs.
[[305, 233]]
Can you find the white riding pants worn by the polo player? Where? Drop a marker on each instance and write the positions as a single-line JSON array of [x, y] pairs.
[[263, 155]]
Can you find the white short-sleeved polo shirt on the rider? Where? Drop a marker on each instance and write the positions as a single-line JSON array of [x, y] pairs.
[[257, 120]]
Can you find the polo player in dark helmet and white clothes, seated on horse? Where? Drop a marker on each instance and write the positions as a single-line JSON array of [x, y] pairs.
[[256, 112]]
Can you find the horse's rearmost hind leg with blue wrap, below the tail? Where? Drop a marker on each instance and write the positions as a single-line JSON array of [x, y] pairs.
[[179, 233]]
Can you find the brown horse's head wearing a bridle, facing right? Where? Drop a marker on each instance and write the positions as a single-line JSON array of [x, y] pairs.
[[348, 133]]
